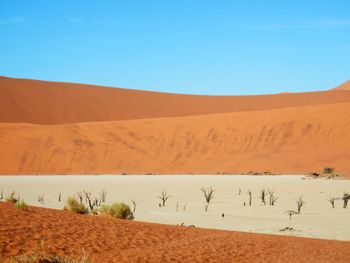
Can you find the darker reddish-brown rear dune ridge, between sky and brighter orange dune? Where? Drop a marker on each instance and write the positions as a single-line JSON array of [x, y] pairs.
[[41, 102]]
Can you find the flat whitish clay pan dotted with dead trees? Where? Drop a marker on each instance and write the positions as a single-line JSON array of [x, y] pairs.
[[186, 204]]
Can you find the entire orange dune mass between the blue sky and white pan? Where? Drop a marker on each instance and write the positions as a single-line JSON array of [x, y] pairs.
[[54, 128]]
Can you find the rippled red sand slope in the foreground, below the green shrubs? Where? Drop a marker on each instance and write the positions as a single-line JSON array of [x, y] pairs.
[[112, 240]]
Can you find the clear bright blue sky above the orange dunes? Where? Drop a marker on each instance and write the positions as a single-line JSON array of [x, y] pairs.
[[202, 47]]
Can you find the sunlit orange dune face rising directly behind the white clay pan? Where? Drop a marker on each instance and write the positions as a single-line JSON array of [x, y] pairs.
[[290, 140]]
